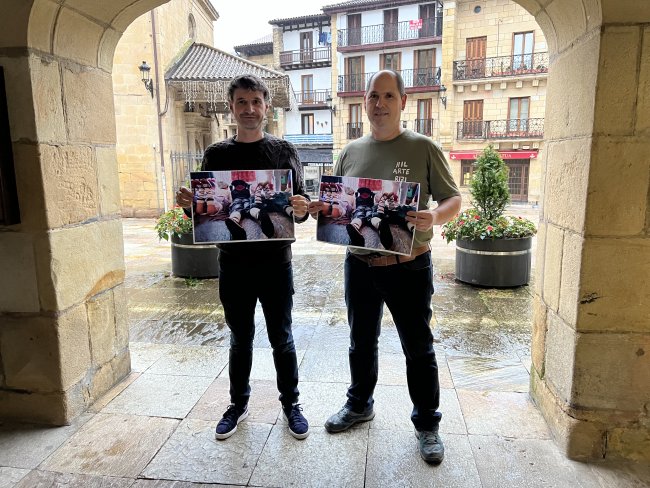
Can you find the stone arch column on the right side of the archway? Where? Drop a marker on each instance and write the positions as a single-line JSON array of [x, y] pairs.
[[591, 330]]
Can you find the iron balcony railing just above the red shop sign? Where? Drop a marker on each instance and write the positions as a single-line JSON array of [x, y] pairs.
[[501, 129]]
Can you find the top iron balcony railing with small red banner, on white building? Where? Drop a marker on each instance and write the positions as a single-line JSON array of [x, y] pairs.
[[382, 33]]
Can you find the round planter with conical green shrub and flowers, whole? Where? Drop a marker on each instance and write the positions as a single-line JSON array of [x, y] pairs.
[[492, 249]]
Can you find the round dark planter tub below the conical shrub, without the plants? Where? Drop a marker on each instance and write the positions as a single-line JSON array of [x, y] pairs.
[[496, 263]]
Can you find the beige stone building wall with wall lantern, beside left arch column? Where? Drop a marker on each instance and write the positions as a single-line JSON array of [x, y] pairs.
[[145, 180]]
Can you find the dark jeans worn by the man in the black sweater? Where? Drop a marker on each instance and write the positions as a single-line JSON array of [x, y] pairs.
[[241, 284]]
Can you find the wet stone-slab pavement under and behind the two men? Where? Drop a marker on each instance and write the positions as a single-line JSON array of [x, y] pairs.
[[156, 429]]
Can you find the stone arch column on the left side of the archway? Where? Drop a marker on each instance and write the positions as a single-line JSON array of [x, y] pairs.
[[63, 329]]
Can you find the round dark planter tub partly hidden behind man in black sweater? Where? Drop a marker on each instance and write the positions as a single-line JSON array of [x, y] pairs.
[[191, 260]]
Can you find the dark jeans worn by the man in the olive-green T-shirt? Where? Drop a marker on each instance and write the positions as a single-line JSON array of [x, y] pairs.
[[406, 289]]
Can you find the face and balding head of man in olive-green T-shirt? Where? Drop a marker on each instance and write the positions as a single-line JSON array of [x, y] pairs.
[[384, 104]]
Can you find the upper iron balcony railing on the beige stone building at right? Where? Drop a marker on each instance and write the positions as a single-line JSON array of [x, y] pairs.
[[515, 65]]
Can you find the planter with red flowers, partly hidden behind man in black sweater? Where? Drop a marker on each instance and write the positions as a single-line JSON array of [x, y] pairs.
[[189, 260]]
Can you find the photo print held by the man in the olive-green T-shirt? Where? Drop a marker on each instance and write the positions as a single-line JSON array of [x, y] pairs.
[[367, 213]]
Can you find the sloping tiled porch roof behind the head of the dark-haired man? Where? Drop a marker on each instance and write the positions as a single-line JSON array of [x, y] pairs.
[[205, 63]]
